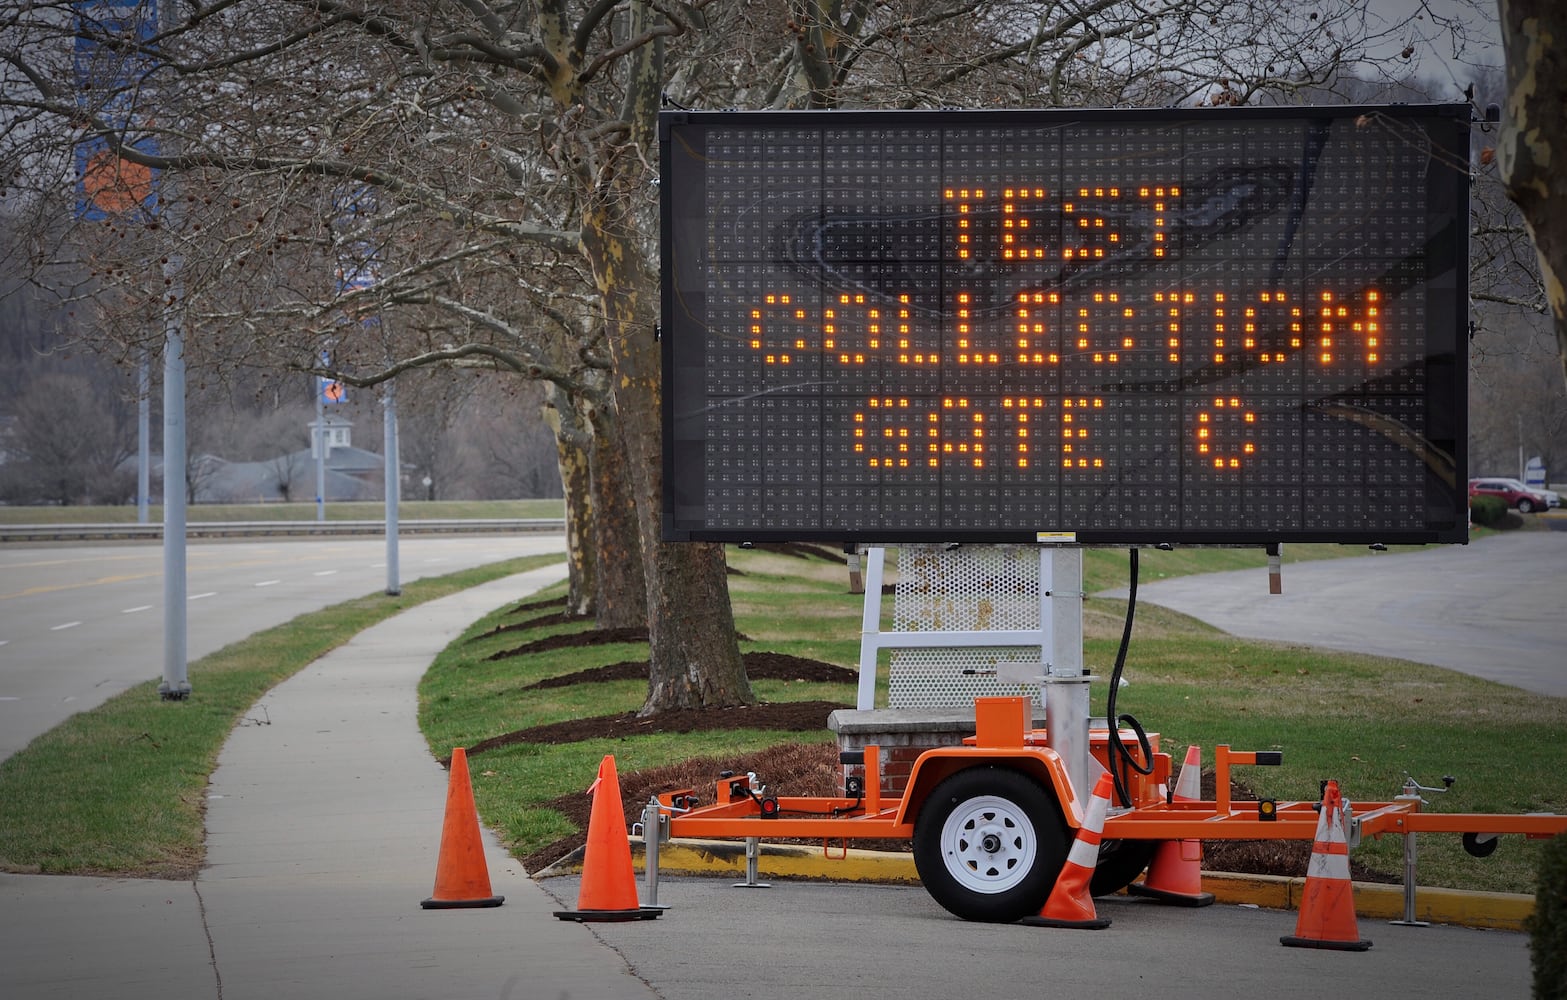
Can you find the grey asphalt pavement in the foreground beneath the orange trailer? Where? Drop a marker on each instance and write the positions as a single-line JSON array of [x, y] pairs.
[[888, 943]]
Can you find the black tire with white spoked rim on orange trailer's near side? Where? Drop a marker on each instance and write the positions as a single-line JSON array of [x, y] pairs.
[[990, 844]]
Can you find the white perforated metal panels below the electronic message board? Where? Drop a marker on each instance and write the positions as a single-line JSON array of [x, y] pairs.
[[963, 590]]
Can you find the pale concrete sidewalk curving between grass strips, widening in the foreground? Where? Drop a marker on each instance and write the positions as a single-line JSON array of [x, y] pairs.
[[324, 832]]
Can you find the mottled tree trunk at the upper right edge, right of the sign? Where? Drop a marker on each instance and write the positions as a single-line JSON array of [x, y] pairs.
[[1533, 145]]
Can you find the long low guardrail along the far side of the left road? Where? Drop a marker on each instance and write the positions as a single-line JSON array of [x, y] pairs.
[[273, 529]]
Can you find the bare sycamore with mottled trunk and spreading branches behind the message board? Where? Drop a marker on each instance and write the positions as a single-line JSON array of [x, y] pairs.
[[367, 189]]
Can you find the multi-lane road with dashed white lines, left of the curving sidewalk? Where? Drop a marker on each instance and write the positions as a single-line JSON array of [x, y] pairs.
[[81, 625]]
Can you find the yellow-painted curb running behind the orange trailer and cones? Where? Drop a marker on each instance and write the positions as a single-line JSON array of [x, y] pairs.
[[1375, 902]]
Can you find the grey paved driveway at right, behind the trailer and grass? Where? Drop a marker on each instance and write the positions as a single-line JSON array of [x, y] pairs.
[[1494, 609]]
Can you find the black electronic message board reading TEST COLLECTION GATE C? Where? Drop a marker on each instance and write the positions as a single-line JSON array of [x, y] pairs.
[[1190, 327]]
